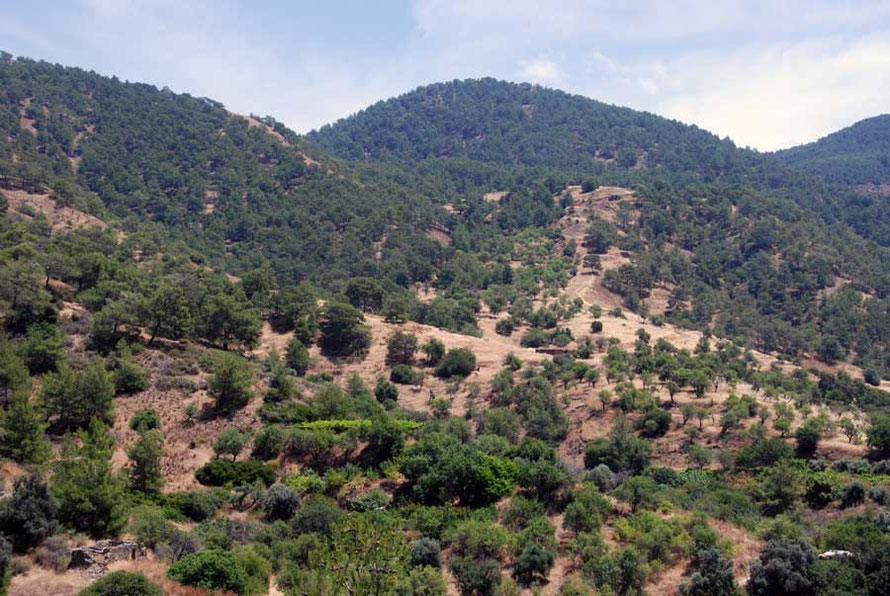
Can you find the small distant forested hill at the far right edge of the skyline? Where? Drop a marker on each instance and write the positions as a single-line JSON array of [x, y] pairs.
[[857, 155]]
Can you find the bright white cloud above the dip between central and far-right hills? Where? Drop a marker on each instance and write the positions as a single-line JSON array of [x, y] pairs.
[[776, 96]]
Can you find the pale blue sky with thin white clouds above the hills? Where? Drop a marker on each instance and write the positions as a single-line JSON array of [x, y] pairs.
[[768, 75]]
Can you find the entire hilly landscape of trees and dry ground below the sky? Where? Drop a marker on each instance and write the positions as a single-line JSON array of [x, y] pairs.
[[483, 338]]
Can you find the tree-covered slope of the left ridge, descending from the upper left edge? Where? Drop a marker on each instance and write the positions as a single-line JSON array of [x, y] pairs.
[[182, 174]]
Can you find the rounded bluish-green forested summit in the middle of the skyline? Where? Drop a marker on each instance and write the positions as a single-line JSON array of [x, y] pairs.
[[522, 124]]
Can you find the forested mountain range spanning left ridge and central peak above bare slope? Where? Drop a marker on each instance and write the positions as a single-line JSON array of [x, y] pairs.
[[745, 244]]
